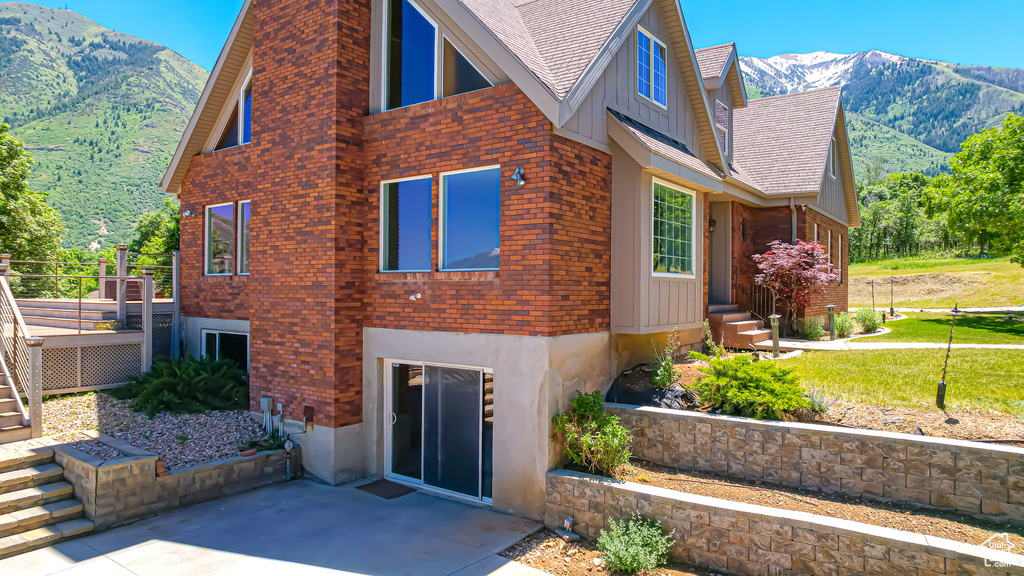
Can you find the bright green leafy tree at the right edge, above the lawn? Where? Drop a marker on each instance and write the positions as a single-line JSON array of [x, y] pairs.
[[984, 195]]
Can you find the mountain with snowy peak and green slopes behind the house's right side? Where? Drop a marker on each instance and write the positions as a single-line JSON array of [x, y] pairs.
[[906, 114]]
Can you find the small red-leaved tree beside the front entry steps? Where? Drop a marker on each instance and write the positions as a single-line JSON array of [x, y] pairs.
[[797, 273]]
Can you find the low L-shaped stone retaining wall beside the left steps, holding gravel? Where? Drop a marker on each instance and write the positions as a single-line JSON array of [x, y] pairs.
[[116, 492]]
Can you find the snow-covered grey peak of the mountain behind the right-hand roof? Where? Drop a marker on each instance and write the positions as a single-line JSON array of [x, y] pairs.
[[790, 73]]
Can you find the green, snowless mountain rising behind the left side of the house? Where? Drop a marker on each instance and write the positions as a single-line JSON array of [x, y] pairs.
[[102, 113]]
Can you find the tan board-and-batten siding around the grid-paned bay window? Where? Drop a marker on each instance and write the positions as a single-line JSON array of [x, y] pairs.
[[643, 303]]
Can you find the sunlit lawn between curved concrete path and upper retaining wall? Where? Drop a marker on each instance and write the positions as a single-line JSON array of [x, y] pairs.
[[987, 380]]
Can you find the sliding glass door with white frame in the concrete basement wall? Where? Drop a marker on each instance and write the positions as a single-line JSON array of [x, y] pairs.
[[440, 434]]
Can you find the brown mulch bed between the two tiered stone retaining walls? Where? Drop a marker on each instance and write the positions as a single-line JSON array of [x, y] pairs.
[[952, 526]]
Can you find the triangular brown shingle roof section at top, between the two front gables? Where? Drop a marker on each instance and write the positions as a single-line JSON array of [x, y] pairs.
[[556, 39]]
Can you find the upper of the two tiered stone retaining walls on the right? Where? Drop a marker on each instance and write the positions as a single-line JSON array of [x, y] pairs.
[[980, 480]]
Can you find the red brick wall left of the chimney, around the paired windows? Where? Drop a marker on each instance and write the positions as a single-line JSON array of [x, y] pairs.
[[214, 179]]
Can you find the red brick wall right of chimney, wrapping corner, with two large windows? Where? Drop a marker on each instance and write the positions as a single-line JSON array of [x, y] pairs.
[[556, 230]]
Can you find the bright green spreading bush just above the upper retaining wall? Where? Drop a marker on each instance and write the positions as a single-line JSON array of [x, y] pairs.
[[743, 386]]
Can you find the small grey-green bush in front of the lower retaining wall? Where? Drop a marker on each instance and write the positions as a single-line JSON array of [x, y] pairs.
[[635, 545]]
